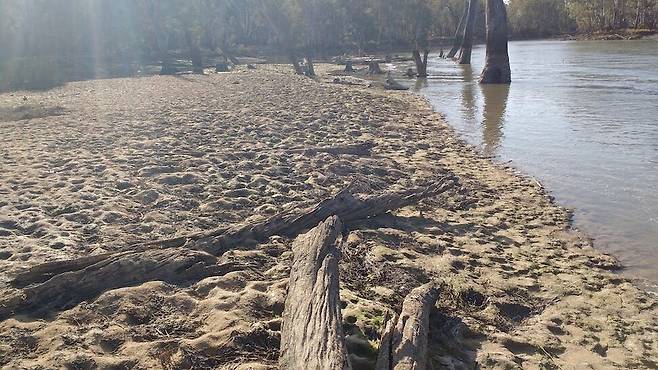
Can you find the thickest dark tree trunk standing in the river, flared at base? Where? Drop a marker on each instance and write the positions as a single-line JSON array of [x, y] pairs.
[[496, 69]]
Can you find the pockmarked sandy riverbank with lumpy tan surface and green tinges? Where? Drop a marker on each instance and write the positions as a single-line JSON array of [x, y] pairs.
[[94, 166]]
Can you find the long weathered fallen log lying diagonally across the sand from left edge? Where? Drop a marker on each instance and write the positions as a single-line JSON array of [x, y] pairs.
[[193, 256]]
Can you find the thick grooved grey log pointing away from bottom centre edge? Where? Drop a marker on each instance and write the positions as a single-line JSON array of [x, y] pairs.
[[312, 333]]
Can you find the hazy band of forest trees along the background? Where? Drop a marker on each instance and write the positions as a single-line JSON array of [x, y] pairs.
[[42, 40]]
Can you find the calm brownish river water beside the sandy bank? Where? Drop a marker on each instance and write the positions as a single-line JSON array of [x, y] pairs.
[[580, 116]]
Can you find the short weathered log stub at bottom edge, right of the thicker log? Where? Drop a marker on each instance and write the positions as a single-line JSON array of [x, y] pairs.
[[404, 344]]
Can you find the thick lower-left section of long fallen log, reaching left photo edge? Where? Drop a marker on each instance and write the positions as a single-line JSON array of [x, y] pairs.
[[68, 288]]
